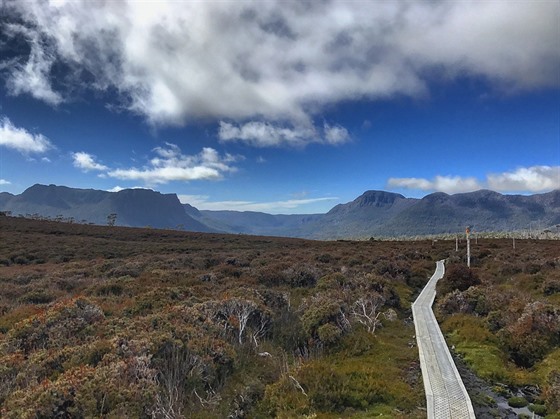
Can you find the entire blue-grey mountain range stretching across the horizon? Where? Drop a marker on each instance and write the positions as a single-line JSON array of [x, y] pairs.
[[374, 213]]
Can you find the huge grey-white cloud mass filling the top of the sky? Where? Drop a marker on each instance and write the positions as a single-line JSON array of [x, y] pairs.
[[276, 60]]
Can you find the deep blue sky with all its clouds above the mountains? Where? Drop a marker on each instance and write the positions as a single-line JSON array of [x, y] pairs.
[[280, 106]]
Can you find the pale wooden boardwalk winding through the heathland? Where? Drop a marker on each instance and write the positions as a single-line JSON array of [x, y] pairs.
[[446, 395]]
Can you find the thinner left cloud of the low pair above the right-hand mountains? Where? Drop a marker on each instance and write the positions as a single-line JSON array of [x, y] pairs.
[[447, 184]]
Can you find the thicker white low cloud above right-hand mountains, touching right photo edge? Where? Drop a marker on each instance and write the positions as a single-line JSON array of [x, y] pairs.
[[532, 179]]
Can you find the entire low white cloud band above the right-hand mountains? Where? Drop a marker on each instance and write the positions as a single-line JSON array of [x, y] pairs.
[[522, 179]]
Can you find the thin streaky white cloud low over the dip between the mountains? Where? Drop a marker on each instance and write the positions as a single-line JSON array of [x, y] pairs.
[[201, 202]]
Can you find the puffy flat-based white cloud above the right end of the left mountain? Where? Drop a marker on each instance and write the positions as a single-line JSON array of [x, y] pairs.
[[171, 165]]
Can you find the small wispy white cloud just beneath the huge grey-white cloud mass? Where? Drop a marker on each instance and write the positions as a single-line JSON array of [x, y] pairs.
[[264, 134]]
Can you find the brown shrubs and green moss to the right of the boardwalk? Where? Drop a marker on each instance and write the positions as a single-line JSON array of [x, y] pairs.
[[503, 317]]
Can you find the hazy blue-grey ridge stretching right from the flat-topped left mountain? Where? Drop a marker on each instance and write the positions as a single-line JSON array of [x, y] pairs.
[[381, 213]]
